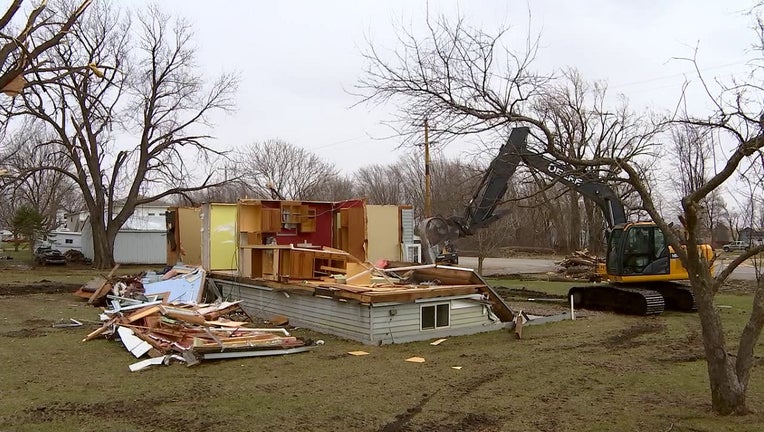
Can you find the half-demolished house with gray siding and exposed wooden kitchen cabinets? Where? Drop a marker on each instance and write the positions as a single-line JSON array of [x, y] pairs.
[[310, 262]]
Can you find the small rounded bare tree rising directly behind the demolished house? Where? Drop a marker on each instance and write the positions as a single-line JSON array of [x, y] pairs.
[[293, 171]]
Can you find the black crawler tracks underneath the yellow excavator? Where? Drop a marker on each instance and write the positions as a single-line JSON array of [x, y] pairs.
[[634, 301]]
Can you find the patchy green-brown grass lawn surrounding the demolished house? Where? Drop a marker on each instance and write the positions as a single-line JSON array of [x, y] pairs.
[[603, 372]]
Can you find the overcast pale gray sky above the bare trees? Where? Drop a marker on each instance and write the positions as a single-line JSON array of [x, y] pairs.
[[297, 59]]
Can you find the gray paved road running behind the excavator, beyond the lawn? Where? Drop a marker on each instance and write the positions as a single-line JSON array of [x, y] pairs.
[[495, 266]]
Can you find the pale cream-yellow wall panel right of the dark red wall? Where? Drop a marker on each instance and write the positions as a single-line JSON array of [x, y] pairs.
[[383, 232]]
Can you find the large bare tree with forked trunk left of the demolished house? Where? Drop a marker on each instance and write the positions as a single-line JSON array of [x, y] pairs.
[[152, 91]]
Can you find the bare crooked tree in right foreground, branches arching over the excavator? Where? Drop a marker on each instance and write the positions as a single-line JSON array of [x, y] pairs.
[[461, 77]]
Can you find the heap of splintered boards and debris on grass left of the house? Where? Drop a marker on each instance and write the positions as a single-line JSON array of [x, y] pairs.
[[149, 323]]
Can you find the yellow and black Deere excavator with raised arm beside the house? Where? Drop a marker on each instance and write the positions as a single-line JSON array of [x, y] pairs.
[[642, 271]]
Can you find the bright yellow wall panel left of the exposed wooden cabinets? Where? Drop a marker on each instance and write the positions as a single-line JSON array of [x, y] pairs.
[[222, 226]]
